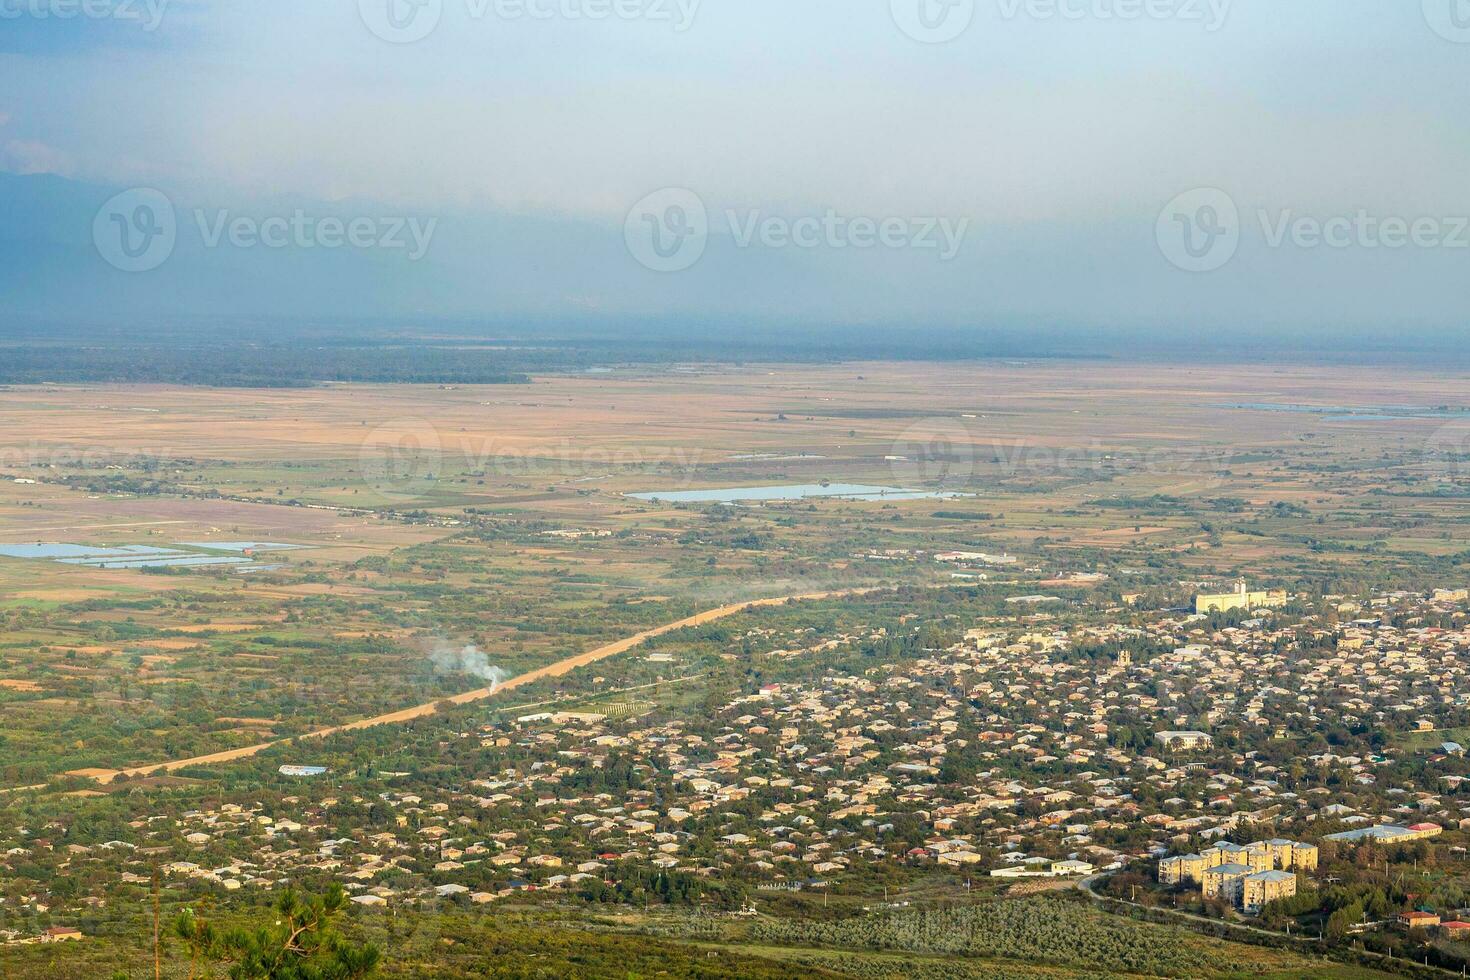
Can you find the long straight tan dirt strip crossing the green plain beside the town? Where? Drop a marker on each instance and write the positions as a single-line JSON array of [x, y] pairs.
[[409, 715]]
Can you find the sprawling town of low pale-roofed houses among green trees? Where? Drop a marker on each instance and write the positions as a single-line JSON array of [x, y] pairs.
[[1049, 744]]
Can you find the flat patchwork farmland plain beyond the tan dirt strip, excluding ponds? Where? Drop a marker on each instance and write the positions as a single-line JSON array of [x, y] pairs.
[[501, 518]]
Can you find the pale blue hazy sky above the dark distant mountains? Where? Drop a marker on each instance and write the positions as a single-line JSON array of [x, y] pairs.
[[1047, 136]]
